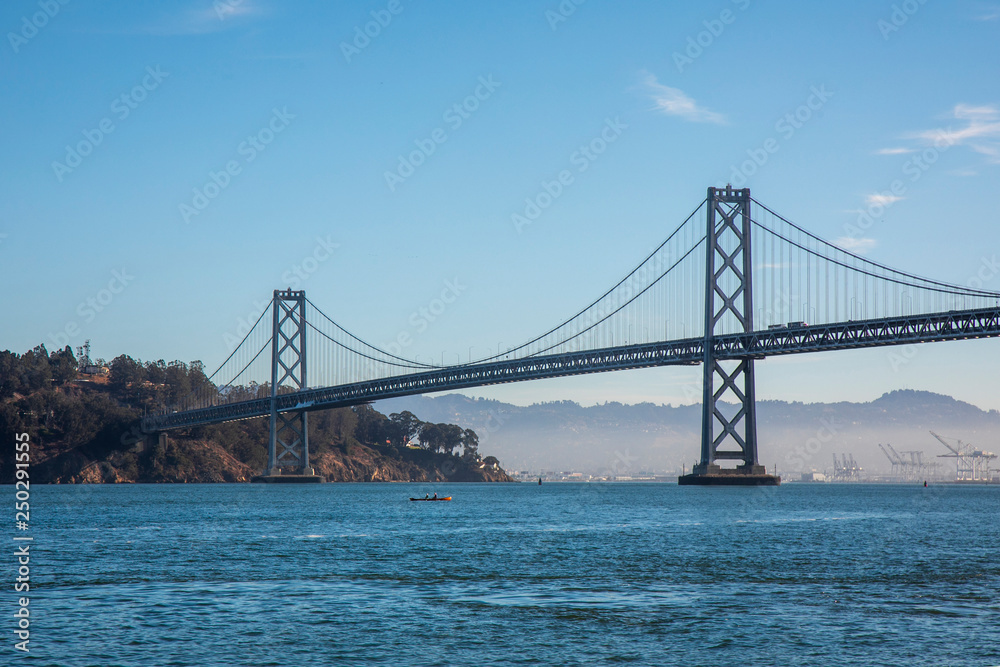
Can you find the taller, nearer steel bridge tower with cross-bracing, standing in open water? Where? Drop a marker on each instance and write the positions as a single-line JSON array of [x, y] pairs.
[[727, 435]]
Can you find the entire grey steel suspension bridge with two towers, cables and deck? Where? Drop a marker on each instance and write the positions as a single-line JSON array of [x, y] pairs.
[[735, 282]]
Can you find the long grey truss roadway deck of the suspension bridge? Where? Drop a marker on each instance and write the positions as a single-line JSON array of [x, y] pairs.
[[952, 325]]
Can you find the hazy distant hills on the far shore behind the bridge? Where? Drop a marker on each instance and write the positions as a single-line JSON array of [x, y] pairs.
[[619, 439]]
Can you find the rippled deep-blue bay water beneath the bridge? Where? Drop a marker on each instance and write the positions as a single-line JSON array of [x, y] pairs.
[[516, 574]]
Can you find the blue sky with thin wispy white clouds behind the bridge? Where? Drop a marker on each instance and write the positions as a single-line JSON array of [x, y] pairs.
[[211, 152]]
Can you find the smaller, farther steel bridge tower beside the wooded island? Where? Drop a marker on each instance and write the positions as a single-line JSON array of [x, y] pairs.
[[288, 445]]
